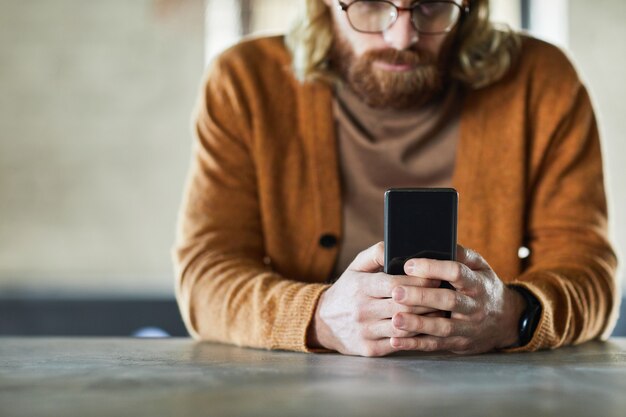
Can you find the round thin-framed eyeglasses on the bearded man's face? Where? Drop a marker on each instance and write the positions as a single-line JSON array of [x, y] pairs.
[[427, 16]]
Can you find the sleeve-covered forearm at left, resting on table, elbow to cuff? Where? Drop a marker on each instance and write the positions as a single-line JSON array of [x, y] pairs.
[[234, 300]]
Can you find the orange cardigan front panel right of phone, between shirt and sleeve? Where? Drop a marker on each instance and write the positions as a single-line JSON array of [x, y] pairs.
[[489, 176]]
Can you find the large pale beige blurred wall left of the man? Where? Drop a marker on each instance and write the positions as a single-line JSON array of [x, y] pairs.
[[94, 141]]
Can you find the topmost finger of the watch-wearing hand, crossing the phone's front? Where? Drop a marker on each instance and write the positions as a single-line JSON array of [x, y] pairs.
[[456, 273]]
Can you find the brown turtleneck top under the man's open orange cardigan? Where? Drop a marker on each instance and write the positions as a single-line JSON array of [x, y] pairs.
[[385, 148]]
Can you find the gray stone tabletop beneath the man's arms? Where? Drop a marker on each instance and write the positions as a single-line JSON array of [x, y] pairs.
[[179, 377]]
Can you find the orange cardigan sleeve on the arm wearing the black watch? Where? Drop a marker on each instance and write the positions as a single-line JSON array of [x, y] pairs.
[[572, 267]]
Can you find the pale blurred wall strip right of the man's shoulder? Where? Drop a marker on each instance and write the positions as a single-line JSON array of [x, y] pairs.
[[597, 30]]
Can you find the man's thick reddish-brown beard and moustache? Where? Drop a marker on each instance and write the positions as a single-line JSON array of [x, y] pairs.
[[380, 88]]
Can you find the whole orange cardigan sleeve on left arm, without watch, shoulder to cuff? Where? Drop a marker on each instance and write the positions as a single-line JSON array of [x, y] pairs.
[[225, 290]]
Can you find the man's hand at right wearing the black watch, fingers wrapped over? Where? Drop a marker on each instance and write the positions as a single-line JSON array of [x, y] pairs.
[[485, 312]]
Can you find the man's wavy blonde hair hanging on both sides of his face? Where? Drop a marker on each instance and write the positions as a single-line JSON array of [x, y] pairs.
[[482, 53]]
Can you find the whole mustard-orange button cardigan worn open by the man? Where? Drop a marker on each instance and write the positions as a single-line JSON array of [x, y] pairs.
[[262, 206]]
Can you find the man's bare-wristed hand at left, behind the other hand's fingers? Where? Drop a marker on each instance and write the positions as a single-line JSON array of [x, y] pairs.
[[354, 316]]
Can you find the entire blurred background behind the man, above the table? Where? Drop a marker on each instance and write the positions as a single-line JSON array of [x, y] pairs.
[[95, 139]]
